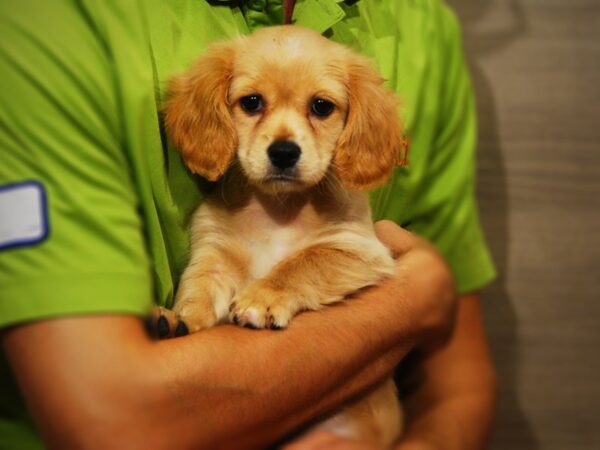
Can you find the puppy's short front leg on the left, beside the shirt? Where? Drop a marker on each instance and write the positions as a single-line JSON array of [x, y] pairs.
[[213, 277]]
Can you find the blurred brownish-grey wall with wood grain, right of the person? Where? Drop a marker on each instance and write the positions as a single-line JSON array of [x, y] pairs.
[[536, 70]]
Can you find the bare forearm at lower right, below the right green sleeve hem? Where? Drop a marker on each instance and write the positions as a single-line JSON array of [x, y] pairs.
[[453, 406]]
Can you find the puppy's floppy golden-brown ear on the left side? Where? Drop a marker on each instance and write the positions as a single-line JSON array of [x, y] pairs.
[[197, 114]]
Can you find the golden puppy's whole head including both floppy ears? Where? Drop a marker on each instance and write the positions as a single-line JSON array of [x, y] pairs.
[[292, 106]]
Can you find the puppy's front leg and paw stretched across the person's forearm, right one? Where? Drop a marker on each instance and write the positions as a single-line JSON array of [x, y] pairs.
[[322, 273]]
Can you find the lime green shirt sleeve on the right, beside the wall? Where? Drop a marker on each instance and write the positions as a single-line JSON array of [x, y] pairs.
[[450, 219]]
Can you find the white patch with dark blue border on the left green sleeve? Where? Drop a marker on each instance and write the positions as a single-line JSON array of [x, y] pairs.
[[23, 214]]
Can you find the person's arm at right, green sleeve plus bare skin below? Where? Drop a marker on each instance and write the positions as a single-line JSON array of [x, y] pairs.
[[453, 407]]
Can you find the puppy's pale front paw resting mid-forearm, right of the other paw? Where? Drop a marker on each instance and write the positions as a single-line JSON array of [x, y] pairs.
[[260, 306]]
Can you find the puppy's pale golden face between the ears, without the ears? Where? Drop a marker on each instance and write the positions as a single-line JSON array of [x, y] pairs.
[[289, 105]]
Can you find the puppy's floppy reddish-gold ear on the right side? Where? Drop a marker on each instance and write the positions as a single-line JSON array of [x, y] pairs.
[[371, 142]]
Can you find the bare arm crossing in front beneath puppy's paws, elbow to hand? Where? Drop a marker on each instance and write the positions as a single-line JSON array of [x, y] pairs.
[[99, 382]]
